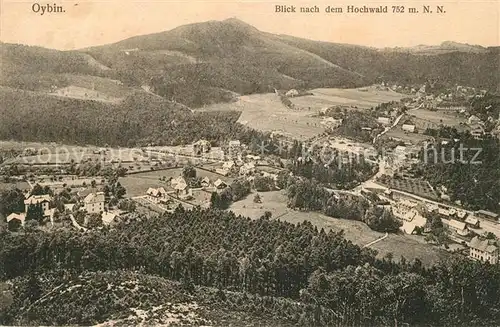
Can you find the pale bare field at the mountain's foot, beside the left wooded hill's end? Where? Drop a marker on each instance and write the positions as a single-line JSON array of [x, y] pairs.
[[265, 112]]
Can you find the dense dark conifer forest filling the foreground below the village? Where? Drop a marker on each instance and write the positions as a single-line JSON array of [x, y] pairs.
[[336, 283]]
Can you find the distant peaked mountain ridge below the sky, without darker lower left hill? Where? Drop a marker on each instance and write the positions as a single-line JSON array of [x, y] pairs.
[[232, 56]]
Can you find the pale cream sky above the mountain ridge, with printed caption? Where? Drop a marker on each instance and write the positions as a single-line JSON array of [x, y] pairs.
[[94, 22]]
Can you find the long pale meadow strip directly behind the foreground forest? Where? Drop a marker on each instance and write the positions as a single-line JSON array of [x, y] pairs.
[[410, 247]]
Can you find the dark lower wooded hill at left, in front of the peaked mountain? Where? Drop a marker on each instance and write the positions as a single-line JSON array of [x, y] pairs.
[[140, 119]]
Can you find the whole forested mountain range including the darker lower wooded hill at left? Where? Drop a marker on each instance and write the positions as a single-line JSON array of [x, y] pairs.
[[194, 65]]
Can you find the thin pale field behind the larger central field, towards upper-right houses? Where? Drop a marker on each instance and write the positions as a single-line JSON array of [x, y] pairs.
[[350, 97]]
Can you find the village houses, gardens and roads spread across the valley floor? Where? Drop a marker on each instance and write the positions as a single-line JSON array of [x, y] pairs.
[[158, 179]]
